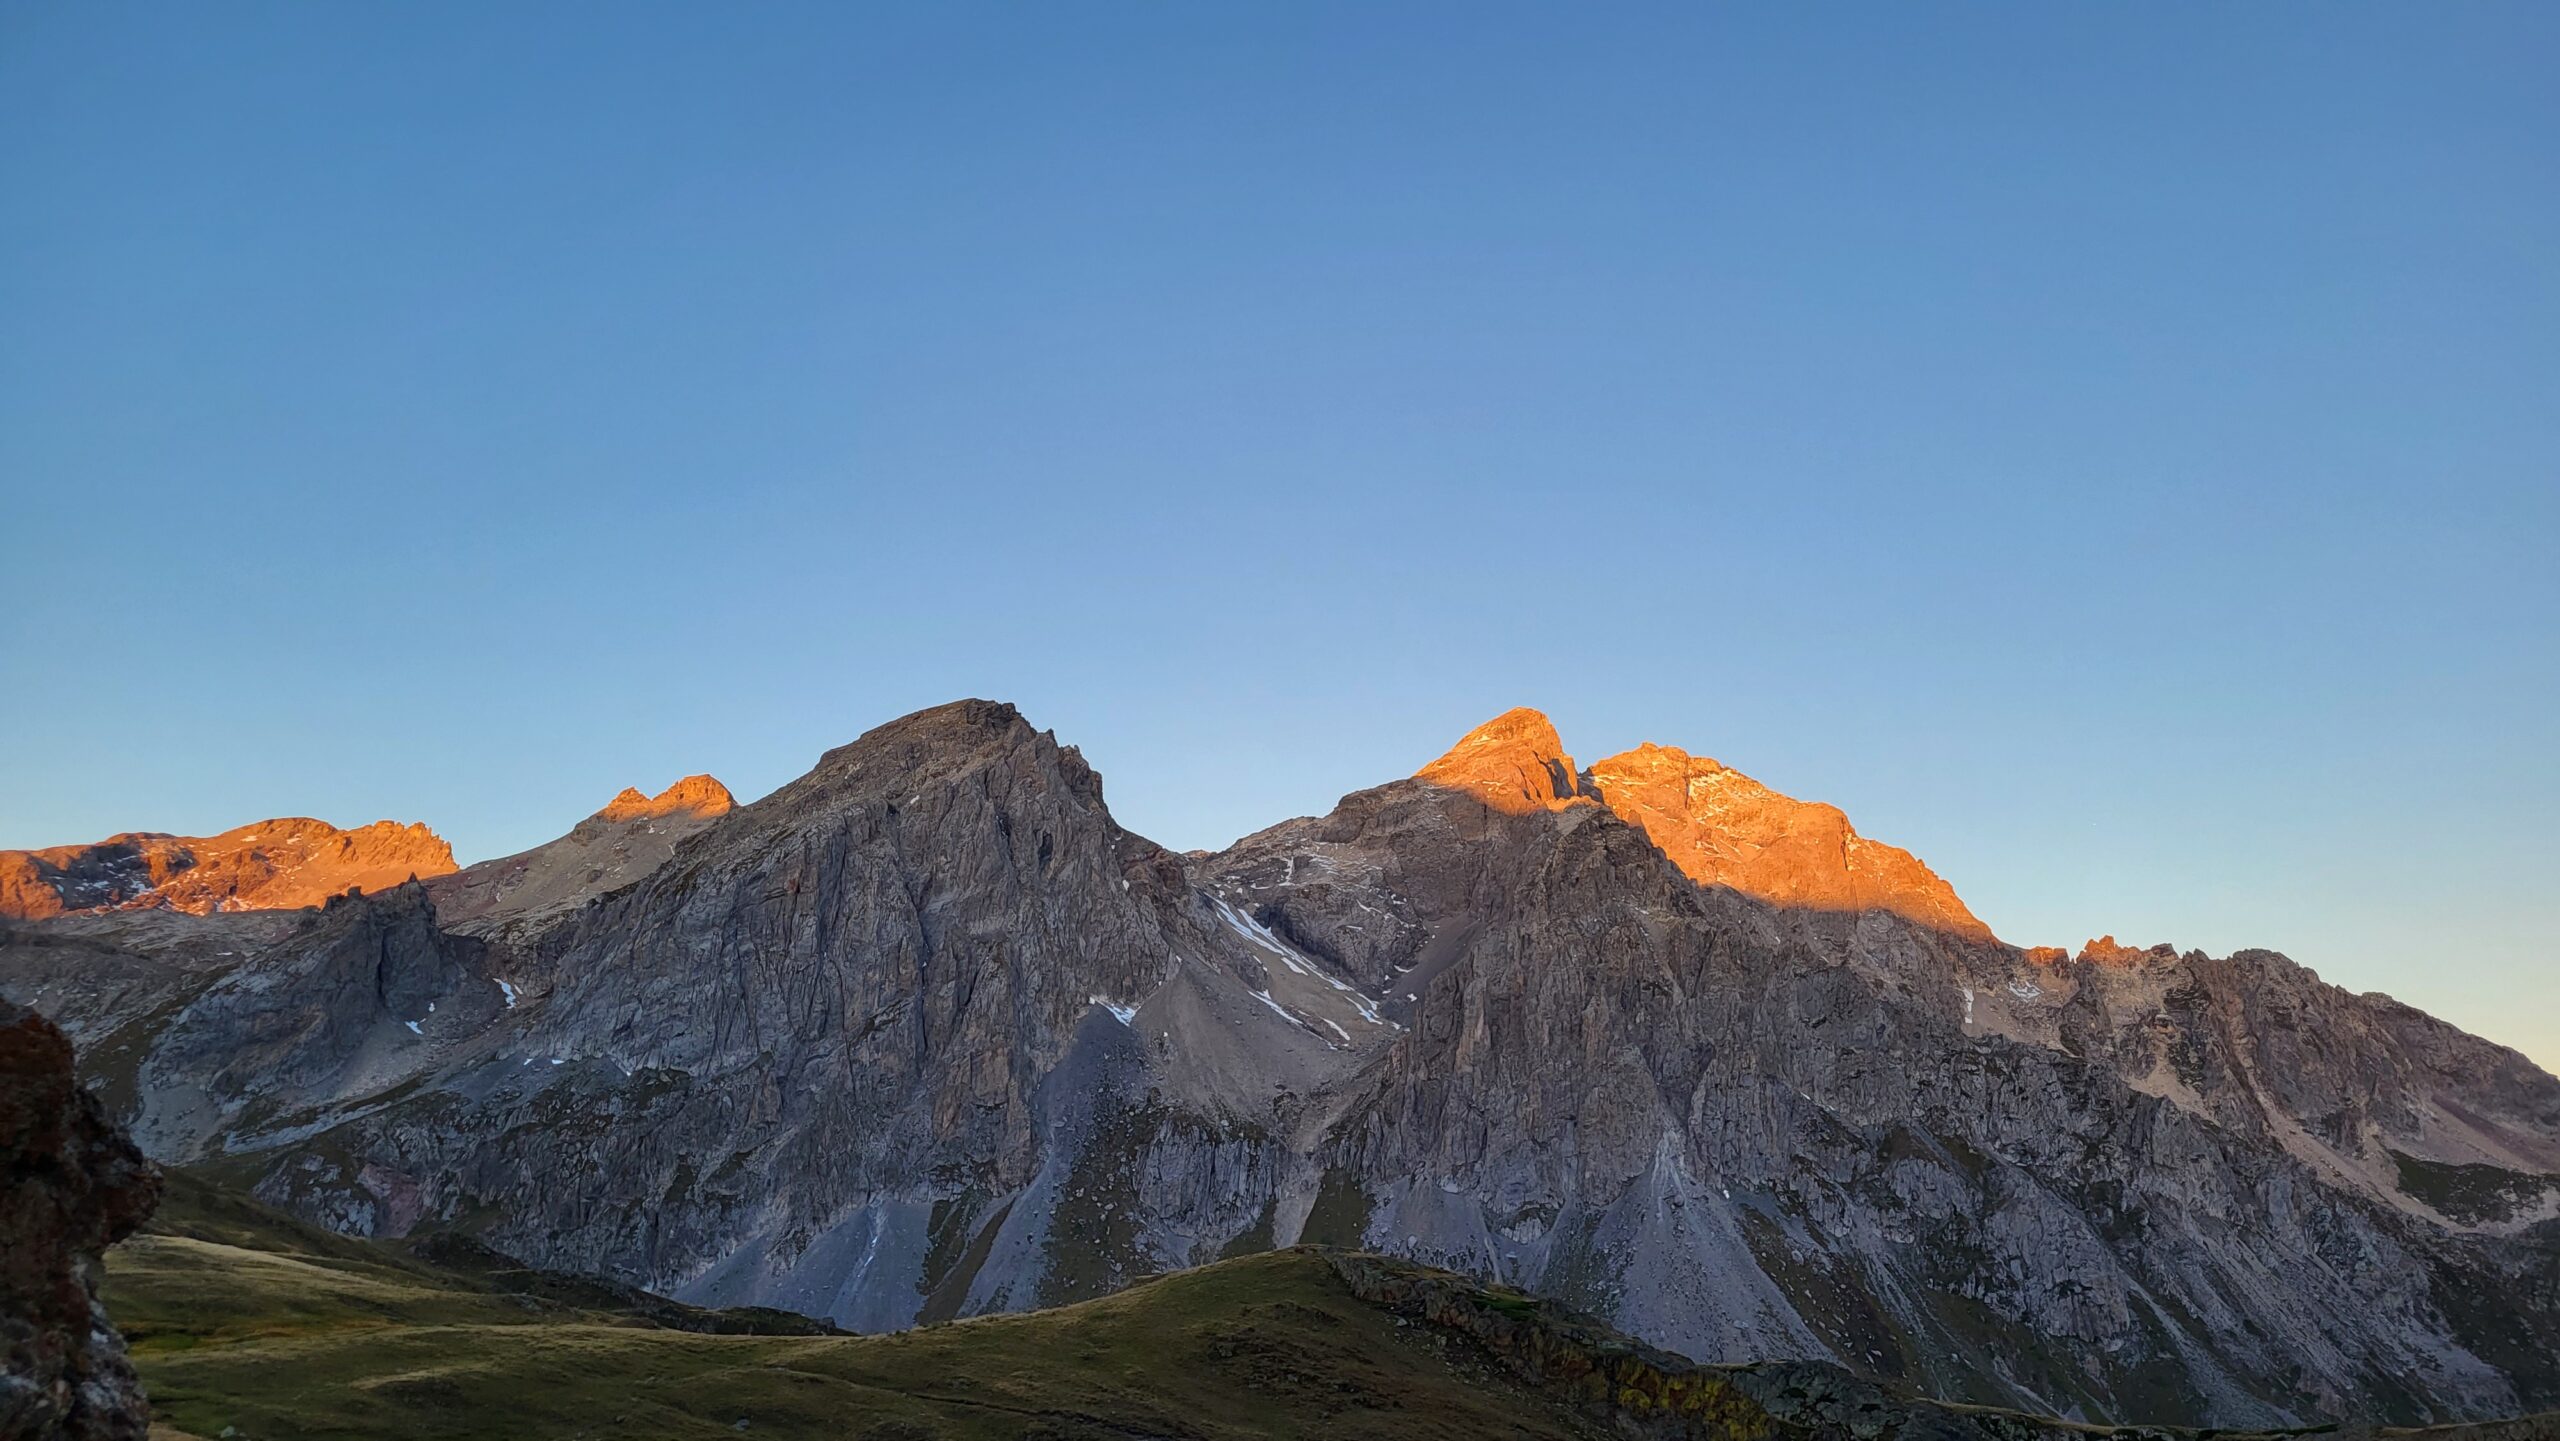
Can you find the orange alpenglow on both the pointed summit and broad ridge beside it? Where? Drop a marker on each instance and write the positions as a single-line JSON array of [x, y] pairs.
[[1714, 823]]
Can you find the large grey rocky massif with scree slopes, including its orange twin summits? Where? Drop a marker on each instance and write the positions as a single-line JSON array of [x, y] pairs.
[[925, 1033]]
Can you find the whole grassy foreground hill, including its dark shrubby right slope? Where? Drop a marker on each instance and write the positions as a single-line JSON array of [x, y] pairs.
[[257, 1327]]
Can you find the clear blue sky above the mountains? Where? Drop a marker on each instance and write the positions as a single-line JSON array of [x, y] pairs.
[[2108, 449]]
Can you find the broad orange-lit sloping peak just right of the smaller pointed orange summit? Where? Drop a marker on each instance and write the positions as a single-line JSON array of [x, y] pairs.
[[1724, 828]]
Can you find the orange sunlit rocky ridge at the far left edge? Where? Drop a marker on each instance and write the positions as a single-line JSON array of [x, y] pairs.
[[268, 866]]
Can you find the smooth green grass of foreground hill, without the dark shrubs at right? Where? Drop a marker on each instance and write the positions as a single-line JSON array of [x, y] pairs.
[[255, 1322]]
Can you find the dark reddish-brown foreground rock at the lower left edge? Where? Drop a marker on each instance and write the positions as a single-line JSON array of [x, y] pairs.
[[73, 1186]]
